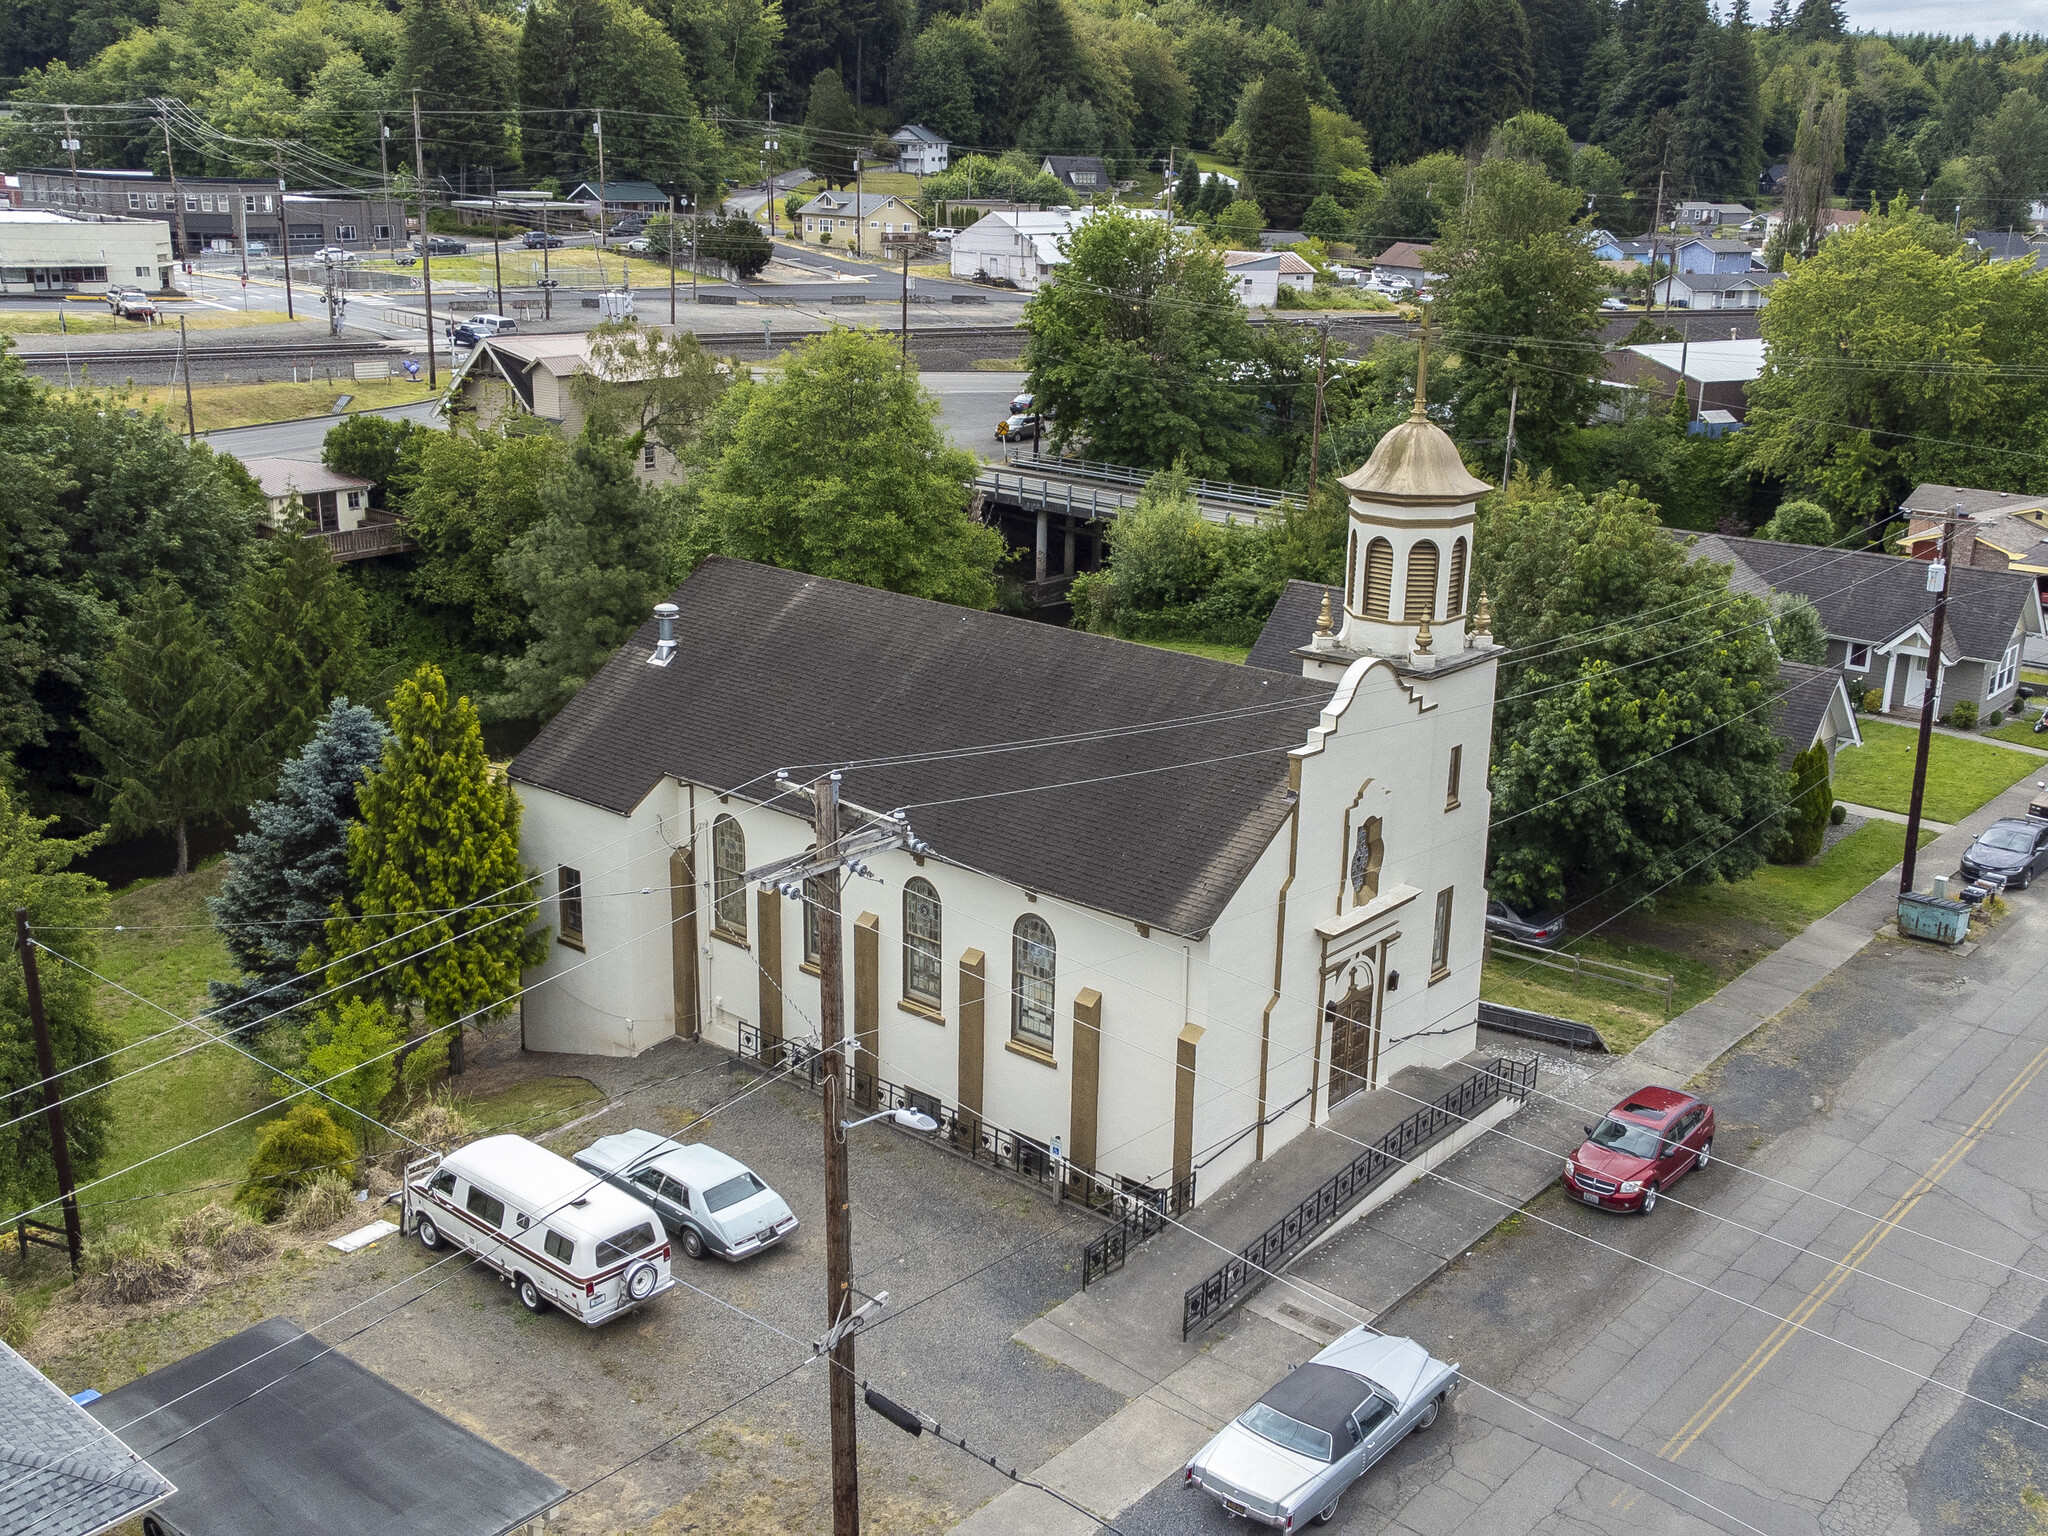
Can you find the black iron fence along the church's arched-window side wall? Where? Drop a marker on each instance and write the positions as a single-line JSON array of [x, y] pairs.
[[1134, 1207]]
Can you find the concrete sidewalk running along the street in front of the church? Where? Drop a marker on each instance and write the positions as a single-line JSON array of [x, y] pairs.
[[1125, 1332]]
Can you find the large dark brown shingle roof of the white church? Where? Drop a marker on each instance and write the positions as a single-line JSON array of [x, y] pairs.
[[787, 671]]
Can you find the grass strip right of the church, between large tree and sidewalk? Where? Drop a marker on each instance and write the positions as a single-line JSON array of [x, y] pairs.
[[1701, 937]]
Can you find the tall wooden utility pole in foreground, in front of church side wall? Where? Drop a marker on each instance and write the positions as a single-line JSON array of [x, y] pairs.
[[839, 1199]]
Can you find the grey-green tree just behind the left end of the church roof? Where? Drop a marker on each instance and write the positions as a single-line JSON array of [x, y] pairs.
[[589, 572]]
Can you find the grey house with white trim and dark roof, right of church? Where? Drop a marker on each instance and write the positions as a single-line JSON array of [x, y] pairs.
[[1879, 617]]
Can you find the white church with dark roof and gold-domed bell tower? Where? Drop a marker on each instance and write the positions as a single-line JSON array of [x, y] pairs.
[[1164, 906]]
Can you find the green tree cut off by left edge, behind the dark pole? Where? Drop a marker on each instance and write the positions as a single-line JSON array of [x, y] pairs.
[[73, 908]]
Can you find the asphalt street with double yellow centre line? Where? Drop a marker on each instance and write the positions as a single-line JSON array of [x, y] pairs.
[[1842, 1326]]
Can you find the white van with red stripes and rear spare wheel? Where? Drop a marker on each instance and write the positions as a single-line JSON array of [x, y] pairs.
[[558, 1236]]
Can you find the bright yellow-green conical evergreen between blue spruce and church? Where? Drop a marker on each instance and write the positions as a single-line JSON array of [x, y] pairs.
[[437, 914]]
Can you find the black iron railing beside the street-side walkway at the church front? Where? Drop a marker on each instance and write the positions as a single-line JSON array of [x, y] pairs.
[[1258, 1261]]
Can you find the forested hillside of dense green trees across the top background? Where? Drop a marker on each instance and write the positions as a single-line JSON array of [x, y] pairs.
[[1672, 91]]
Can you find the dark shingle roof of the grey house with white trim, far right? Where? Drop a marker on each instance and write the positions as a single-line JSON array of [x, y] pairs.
[[1869, 599]]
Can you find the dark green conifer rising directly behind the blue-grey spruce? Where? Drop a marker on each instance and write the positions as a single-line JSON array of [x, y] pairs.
[[300, 640]]
